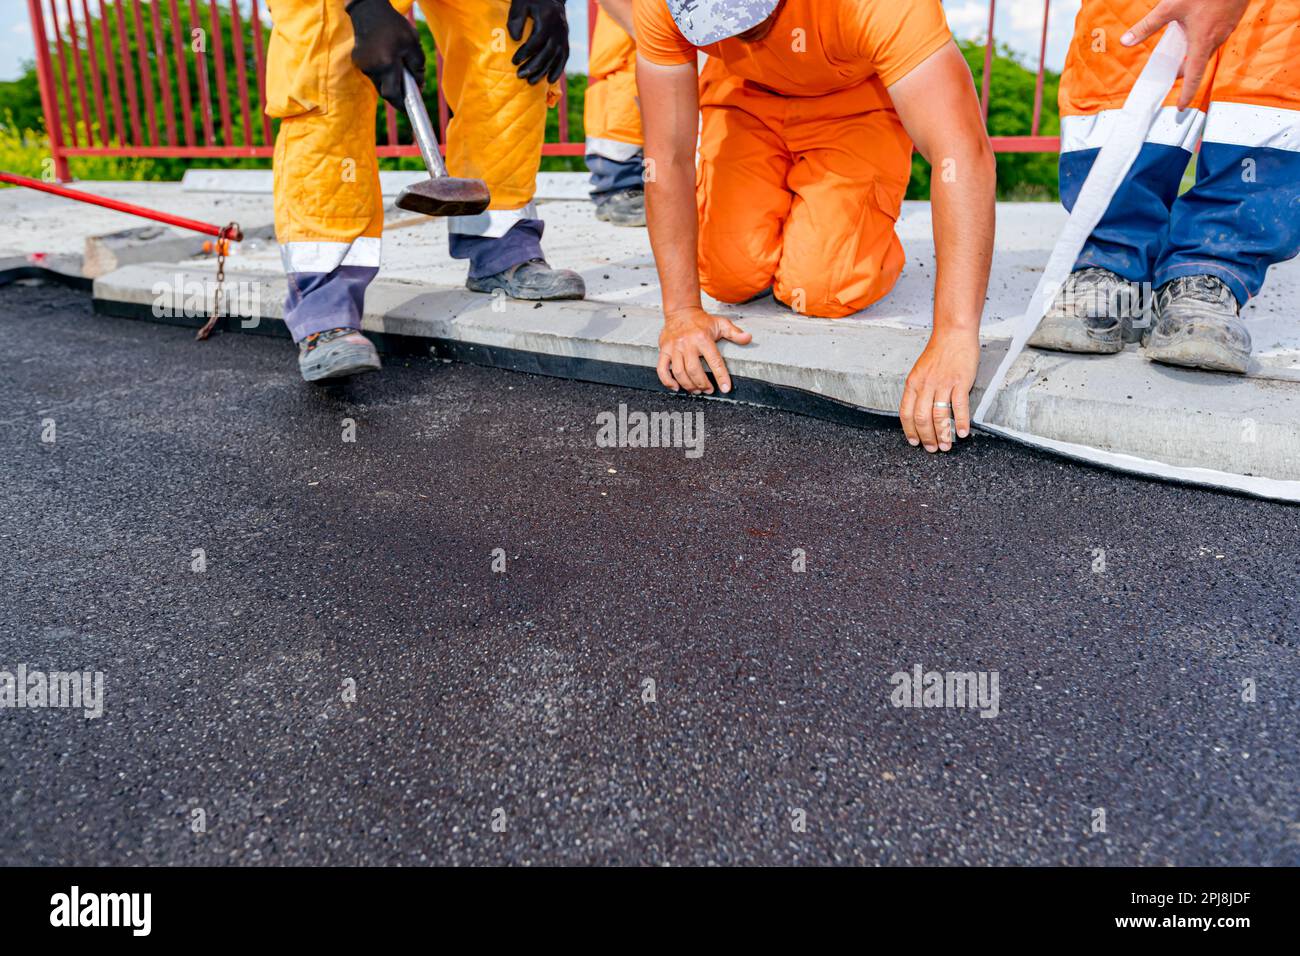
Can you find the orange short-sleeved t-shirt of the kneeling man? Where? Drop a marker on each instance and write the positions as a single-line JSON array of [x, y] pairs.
[[816, 47]]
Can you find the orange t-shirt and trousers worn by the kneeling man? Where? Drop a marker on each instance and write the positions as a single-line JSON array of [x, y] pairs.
[[804, 162]]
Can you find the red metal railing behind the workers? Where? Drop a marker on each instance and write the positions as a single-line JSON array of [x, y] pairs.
[[136, 79]]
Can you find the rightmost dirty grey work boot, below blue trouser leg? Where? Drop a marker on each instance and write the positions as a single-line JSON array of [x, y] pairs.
[[1197, 325]]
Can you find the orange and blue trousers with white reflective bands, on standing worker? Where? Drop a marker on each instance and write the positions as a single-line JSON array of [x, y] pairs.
[[1241, 215]]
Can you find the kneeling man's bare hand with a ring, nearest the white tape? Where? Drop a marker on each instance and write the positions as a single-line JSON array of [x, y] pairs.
[[939, 390]]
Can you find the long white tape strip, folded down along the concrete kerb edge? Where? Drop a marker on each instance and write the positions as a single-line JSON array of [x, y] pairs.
[[1108, 172]]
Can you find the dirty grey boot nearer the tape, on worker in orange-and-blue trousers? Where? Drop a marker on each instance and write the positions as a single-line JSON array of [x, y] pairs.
[[1094, 313]]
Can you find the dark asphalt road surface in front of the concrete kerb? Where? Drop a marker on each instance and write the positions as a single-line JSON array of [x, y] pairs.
[[350, 681]]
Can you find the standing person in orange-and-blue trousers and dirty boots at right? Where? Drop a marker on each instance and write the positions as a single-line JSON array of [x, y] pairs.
[[1204, 254]]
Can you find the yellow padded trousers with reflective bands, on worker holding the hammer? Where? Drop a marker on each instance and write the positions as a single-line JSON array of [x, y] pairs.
[[330, 213]]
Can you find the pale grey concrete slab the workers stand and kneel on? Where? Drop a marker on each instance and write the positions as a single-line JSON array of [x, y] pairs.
[[1117, 404]]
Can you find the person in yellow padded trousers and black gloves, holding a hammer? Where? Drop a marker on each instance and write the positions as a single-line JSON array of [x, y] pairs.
[[328, 63]]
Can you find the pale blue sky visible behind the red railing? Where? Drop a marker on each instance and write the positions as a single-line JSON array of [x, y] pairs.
[[1019, 24]]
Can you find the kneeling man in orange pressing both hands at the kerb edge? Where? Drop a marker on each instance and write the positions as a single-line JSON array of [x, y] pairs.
[[807, 116]]
